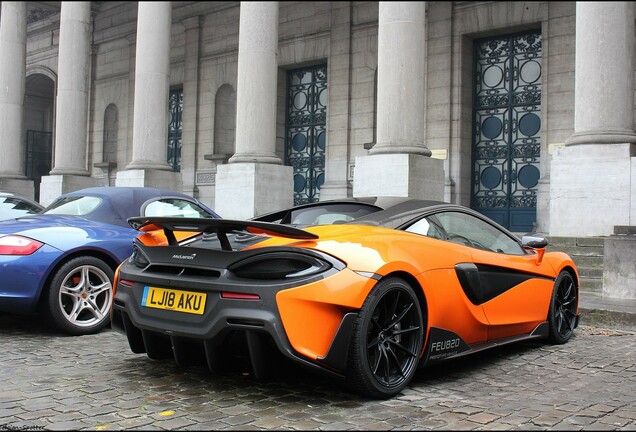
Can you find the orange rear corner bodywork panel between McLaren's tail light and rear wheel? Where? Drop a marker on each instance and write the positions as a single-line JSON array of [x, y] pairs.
[[312, 313]]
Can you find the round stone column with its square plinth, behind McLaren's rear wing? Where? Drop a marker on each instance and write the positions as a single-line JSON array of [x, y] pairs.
[[254, 181]]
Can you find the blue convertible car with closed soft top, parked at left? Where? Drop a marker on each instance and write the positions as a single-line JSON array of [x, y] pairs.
[[61, 262]]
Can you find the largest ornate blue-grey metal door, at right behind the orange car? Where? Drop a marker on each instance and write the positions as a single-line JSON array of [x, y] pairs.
[[507, 129]]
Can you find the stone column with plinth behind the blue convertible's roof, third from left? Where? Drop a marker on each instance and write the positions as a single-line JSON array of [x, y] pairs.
[[149, 165]]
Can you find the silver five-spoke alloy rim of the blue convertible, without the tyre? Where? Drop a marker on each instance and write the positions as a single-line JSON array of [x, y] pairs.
[[85, 296]]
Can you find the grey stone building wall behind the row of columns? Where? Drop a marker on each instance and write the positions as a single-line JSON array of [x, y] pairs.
[[343, 35]]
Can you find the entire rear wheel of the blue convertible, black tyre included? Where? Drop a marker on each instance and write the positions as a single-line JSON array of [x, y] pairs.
[[79, 297]]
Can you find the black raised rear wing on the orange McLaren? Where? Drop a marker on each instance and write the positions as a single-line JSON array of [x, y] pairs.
[[220, 227]]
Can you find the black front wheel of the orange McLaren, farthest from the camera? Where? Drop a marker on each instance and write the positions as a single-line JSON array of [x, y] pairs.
[[563, 307]]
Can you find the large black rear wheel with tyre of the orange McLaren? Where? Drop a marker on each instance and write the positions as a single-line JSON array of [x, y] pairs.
[[386, 341]]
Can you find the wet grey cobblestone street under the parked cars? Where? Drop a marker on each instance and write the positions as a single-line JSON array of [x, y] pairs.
[[55, 382]]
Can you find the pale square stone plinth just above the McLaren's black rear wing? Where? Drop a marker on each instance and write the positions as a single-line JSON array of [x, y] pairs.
[[245, 190]]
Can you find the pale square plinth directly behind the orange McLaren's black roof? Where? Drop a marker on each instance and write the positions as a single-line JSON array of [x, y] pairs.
[[401, 175]]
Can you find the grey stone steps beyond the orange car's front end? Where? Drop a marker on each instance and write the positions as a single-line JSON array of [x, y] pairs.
[[587, 253]]
